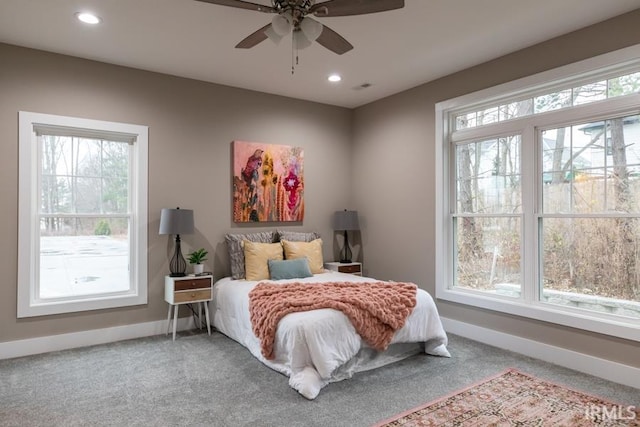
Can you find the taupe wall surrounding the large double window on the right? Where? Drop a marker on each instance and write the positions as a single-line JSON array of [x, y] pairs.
[[394, 179]]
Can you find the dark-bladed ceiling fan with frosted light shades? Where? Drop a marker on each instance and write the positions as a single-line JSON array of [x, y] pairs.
[[292, 16]]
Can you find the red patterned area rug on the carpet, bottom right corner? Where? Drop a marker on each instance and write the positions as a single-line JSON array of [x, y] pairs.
[[513, 398]]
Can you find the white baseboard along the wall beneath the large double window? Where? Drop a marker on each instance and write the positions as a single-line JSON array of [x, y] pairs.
[[602, 368]]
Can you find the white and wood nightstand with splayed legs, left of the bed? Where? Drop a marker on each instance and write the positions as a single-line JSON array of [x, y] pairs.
[[188, 290]]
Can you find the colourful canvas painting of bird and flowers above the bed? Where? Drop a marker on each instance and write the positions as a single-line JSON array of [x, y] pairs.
[[268, 182]]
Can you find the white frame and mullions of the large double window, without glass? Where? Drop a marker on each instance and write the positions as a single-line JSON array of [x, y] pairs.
[[528, 305]]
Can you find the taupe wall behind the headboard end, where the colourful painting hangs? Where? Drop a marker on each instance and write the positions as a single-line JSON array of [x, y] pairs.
[[191, 127]]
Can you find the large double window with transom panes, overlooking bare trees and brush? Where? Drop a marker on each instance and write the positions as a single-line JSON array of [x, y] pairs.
[[538, 201]]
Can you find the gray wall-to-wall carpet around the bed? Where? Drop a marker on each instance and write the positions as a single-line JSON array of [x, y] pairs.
[[203, 380]]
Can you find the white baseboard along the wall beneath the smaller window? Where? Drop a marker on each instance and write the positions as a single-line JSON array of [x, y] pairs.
[[46, 344]]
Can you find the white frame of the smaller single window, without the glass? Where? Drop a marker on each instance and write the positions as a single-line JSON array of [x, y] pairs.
[[28, 204]]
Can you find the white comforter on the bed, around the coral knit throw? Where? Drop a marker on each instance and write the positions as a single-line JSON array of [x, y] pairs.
[[317, 347]]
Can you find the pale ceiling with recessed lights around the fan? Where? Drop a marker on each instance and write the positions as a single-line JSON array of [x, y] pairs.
[[394, 51]]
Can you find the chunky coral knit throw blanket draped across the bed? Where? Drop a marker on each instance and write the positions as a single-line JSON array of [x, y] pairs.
[[376, 309]]
